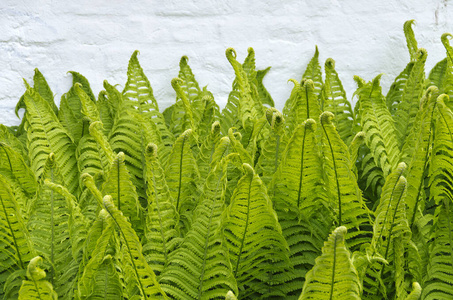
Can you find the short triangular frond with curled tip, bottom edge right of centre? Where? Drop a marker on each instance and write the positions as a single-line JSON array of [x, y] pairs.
[[333, 276]]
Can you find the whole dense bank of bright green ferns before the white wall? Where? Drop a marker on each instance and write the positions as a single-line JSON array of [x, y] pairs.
[[109, 198]]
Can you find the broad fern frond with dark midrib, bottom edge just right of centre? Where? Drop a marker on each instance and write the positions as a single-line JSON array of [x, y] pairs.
[[258, 250]]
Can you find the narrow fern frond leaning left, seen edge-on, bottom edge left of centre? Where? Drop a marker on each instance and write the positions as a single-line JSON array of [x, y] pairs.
[[141, 275]]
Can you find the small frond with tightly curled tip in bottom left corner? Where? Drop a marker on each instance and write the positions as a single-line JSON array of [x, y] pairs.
[[36, 287]]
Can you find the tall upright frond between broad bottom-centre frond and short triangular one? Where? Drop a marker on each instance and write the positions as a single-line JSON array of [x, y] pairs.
[[299, 198]]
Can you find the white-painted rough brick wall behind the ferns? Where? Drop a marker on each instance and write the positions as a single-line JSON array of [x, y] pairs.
[[96, 38]]
